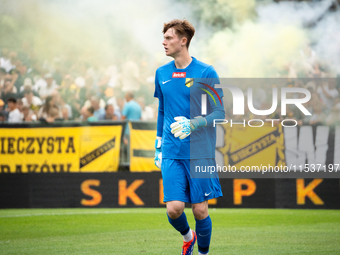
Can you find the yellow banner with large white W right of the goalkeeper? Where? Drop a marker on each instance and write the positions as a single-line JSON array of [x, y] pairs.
[[278, 152]]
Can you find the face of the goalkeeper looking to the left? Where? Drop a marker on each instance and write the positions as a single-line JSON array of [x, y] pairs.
[[172, 43]]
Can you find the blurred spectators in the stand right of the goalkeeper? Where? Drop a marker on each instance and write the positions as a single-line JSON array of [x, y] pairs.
[[307, 72]]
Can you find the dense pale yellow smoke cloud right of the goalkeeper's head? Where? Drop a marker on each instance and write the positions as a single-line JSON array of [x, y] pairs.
[[253, 50]]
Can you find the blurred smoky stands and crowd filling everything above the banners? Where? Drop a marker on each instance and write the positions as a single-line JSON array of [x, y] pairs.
[[62, 60]]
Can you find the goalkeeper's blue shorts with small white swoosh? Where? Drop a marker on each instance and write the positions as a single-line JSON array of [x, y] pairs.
[[188, 180]]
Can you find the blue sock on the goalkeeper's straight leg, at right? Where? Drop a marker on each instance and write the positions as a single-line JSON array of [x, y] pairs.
[[203, 231]]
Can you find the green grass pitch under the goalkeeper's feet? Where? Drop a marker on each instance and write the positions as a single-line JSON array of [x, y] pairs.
[[146, 231]]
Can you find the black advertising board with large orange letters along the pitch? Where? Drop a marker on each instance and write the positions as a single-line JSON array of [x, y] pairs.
[[124, 189]]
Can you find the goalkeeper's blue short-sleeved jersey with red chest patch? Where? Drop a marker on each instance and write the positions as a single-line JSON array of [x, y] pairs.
[[180, 96]]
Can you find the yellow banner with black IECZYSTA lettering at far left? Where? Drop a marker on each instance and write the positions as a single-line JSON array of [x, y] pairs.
[[60, 149]]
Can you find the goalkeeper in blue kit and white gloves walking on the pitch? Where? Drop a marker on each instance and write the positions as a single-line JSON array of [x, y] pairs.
[[184, 138]]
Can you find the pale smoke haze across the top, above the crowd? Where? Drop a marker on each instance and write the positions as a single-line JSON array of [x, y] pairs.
[[240, 38]]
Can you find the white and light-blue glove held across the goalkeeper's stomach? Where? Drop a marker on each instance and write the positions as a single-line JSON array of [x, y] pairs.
[[183, 127]]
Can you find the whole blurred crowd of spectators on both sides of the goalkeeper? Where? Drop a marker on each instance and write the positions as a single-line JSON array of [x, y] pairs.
[[33, 91]]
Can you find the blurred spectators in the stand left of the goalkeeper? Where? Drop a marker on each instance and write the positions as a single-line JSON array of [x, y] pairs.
[[33, 91]]
